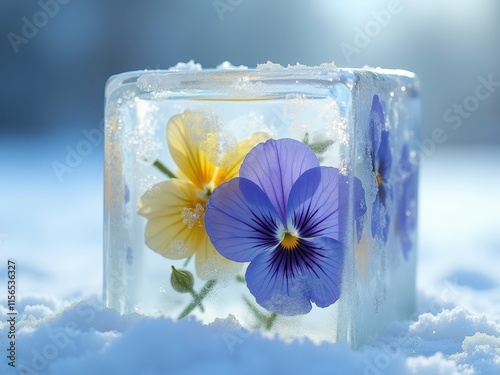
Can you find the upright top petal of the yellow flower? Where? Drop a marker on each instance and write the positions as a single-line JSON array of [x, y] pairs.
[[185, 149]]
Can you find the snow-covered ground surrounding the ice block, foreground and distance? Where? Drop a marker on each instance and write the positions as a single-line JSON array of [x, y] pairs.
[[54, 235]]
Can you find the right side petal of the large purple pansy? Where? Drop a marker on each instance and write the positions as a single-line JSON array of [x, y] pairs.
[[313, 205]]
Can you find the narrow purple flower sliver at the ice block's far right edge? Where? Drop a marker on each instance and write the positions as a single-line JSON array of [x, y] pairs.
[[407, 210]]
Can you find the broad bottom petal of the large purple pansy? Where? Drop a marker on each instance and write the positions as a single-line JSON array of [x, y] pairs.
[[286, 281]]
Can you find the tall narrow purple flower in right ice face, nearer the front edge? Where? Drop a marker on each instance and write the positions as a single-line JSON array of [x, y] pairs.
[[381, 164]]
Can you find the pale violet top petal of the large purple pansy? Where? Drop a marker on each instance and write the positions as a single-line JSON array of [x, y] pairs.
[[275, 166]]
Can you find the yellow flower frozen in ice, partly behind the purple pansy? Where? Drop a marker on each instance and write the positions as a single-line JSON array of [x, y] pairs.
[[175, 208]]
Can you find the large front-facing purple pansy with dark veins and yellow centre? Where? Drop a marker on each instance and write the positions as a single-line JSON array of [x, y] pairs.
[[284, 215]]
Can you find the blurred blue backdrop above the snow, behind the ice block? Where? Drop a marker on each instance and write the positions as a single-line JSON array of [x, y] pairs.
[[53, 82]]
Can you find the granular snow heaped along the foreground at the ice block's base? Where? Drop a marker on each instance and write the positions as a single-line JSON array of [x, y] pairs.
[[86, 338]]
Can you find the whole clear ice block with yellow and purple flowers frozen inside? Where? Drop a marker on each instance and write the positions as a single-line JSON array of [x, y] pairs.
[[281, 199]]
